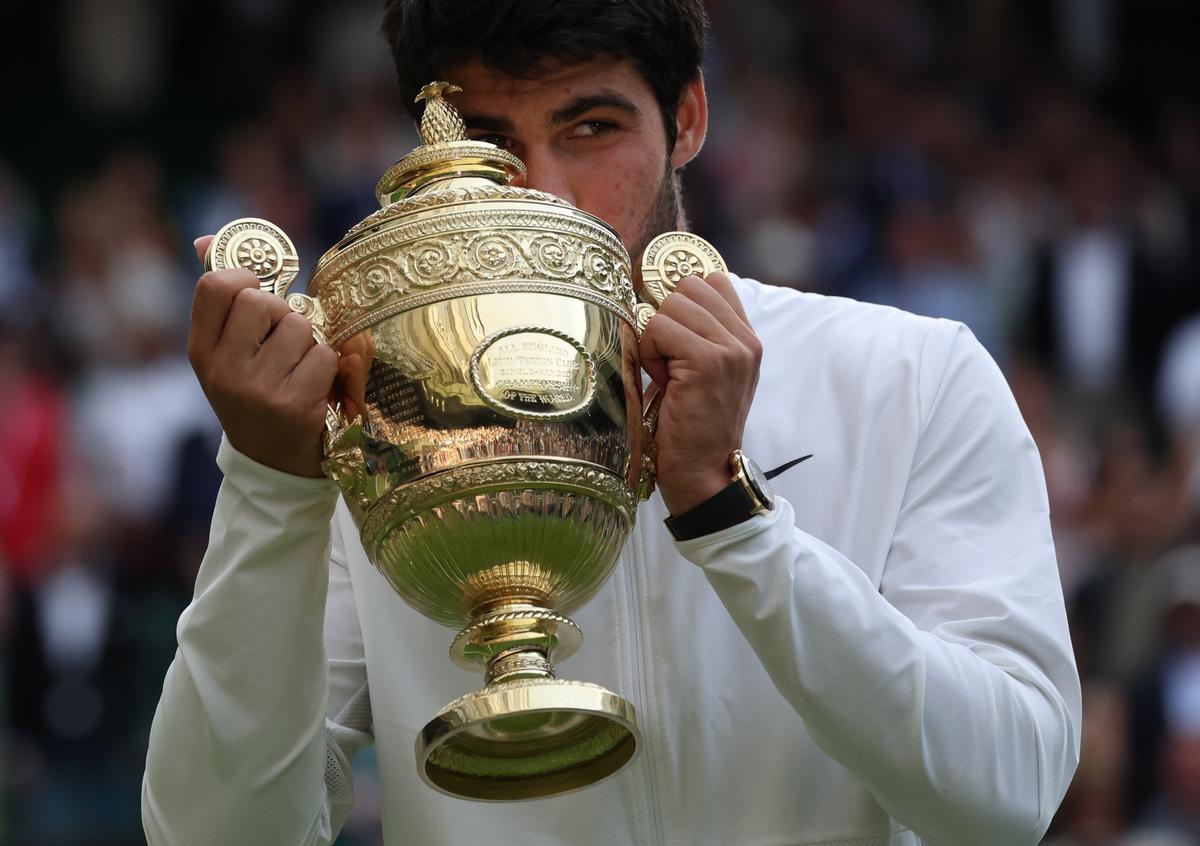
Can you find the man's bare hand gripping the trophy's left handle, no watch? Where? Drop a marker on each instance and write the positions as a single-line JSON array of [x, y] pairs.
[[265, 376]]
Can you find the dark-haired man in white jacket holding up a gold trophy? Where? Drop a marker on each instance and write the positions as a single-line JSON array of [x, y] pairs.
[[881, 658]]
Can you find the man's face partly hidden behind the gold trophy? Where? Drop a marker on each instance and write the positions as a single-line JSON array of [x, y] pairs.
[[590, 134]]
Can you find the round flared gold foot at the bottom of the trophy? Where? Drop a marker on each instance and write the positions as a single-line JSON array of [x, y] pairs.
[[526, 740]]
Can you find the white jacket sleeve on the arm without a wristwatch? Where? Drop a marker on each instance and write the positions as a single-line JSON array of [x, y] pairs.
[[266, 703]]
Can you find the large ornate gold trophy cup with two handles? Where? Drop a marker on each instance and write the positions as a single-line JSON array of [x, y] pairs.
[[491, 442]]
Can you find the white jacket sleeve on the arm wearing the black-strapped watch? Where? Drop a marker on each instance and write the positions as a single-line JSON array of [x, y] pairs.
[[951, 689]]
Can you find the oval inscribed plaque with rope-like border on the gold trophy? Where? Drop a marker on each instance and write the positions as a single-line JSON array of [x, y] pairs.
[[535, 374]]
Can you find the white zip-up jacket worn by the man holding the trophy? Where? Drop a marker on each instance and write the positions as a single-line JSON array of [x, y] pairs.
[[881, 661]]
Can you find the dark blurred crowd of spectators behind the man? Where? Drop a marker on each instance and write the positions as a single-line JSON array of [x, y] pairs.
[[1030, 167]]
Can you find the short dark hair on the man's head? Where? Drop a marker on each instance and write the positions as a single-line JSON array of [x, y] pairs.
[[663, 39]]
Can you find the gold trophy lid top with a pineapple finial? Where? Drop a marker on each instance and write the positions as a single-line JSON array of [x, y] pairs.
[[446, 153]]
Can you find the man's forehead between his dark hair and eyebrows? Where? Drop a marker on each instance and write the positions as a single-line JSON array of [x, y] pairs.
[[489, 92]]
